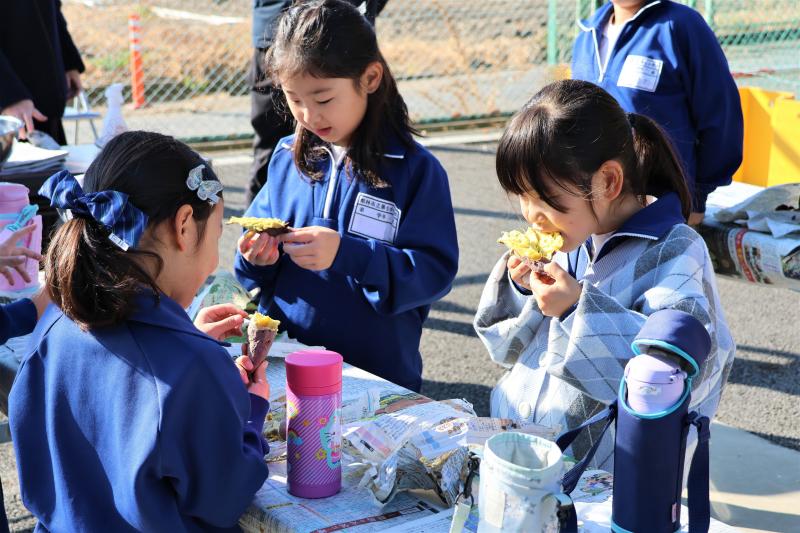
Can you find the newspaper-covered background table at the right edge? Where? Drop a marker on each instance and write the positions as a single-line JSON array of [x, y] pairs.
[[744, 254]]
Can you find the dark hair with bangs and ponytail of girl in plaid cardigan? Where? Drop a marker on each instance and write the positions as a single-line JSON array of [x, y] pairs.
[[568, 130]]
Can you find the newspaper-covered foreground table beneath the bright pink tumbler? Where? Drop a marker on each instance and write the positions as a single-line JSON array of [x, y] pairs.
[[356, 508]]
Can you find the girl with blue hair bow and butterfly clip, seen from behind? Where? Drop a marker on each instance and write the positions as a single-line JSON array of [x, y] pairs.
[[125, 416]]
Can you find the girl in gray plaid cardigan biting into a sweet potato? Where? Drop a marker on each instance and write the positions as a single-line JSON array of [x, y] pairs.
[[584, 168]]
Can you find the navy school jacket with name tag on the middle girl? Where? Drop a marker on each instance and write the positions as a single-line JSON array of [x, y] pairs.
[[398, 254]]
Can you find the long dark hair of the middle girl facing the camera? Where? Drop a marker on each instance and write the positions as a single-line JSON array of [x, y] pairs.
[[331, 39]]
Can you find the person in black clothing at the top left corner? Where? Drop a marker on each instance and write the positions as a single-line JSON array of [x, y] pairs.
[[39, 65]]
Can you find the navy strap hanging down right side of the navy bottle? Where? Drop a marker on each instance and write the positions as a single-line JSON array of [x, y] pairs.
[[699, 504]]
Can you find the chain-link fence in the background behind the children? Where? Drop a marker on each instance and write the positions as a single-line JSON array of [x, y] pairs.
[[456, 60]]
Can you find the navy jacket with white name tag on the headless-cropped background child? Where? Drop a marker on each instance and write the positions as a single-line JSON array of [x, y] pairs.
[[668, 65]]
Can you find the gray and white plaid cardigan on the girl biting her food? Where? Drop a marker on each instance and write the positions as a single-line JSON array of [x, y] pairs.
[[563, 372]]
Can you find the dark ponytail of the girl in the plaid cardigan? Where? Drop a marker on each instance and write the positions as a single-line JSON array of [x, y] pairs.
[[657, 163]]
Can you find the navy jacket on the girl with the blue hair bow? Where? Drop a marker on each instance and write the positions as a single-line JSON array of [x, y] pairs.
[[145, 426]]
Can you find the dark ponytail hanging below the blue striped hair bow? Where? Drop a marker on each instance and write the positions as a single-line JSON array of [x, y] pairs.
[[90, 278]]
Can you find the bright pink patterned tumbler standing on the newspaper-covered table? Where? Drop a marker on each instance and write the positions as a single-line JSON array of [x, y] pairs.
[[313, 410]]
